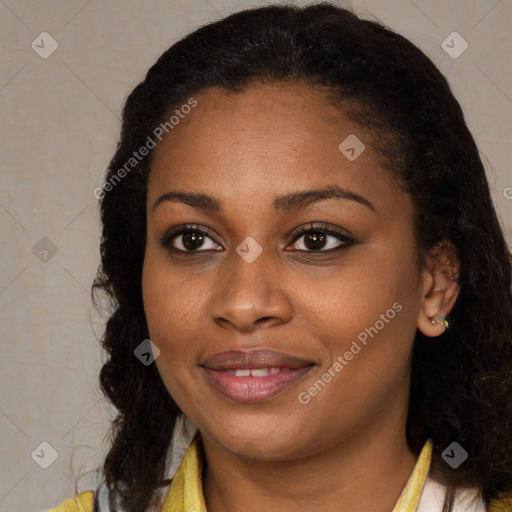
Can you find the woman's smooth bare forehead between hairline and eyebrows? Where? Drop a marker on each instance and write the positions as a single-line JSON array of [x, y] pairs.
[[264, 141]]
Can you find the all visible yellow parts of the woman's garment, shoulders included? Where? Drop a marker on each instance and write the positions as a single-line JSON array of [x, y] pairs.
[[186, 491]]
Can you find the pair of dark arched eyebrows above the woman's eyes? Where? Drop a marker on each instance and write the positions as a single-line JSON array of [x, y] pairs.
[[285, 203]]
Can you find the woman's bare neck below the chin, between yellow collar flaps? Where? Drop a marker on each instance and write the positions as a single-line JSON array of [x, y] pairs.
[[365, 473]]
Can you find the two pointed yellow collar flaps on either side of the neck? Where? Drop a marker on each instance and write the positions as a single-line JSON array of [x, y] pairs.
[[186, 492]]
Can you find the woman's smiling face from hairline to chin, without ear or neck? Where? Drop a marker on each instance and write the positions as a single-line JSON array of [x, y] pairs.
[[242, 283]]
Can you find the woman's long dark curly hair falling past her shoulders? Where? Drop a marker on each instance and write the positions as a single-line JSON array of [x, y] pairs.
[[461, 381]]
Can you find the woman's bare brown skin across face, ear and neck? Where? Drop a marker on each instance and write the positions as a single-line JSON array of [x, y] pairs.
[[346, 449]]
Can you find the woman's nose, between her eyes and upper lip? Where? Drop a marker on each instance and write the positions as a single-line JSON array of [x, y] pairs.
[[251, 294]]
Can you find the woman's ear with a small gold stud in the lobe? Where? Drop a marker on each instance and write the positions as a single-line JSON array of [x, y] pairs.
[[440, 288]]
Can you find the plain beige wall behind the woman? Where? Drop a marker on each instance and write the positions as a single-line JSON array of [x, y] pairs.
[[59, 126]]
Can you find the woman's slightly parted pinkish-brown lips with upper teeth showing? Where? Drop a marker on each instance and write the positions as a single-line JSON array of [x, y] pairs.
[[255, 376]]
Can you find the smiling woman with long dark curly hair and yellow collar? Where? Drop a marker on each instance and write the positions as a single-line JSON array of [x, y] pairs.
[[298, 219]]
